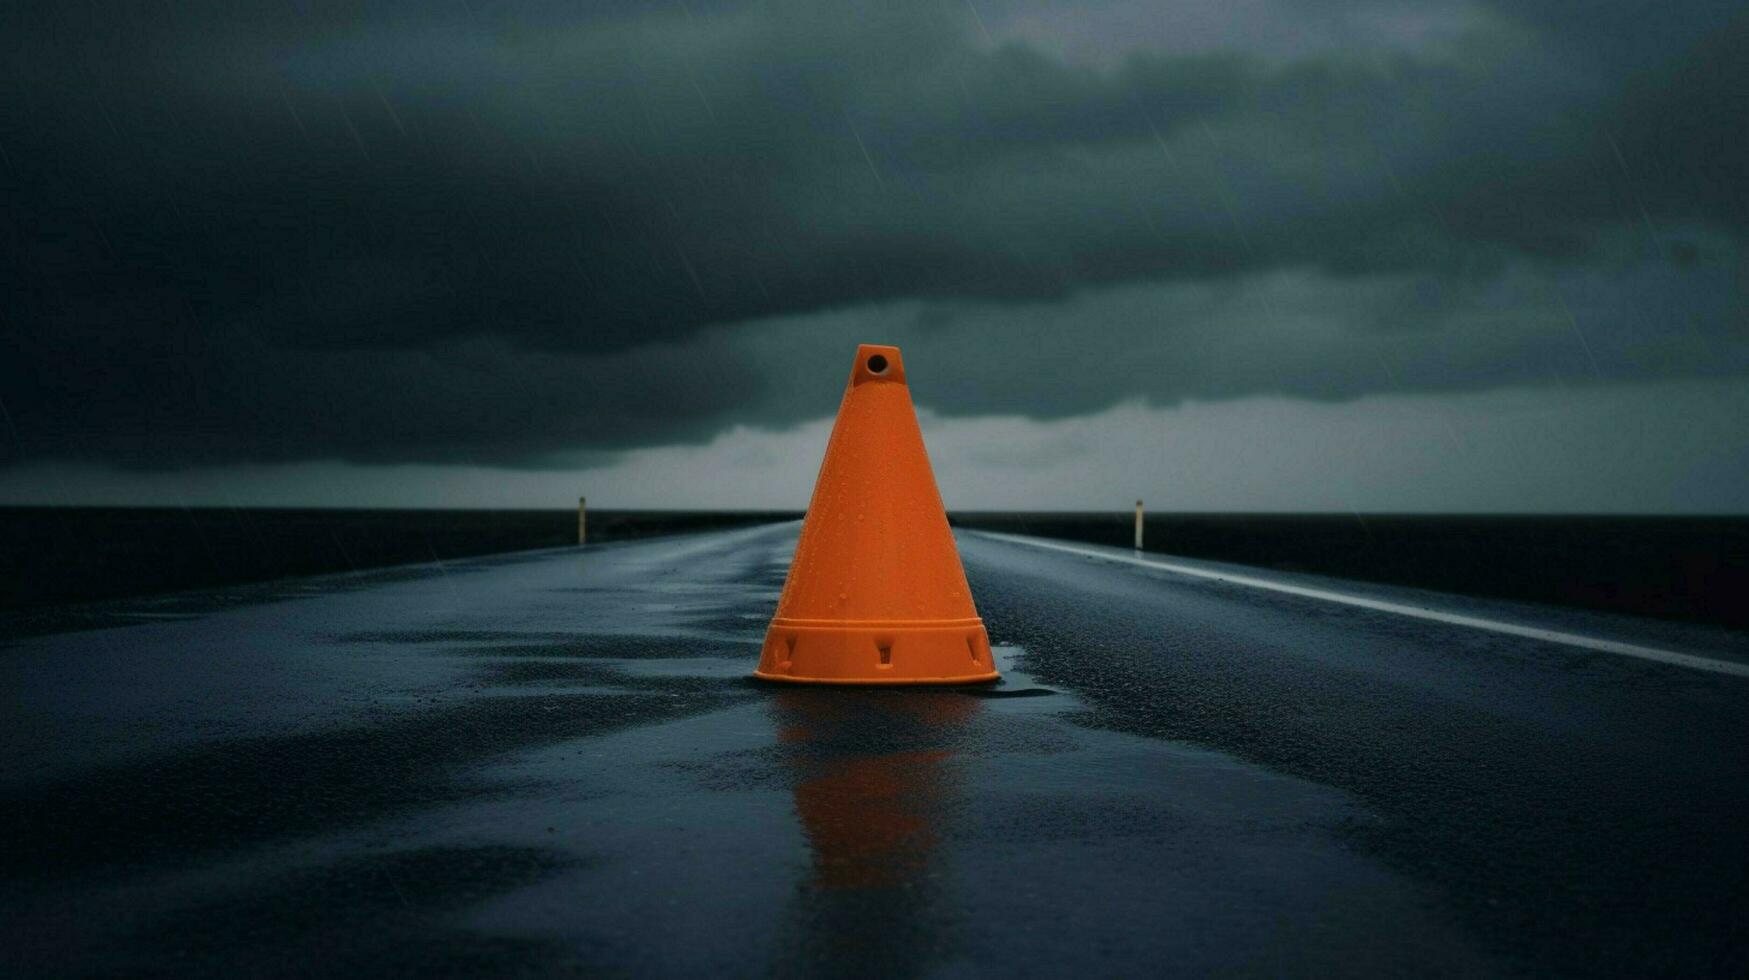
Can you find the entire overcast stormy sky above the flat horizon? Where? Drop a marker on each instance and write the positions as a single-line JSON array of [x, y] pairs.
[[1241, 255]]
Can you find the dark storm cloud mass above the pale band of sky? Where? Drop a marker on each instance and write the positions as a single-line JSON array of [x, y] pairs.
[[387, 232]]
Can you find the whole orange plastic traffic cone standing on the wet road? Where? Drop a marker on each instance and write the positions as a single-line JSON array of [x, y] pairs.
[[877, 594]]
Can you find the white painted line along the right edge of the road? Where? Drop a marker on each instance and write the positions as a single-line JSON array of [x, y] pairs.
[[1419, 613]]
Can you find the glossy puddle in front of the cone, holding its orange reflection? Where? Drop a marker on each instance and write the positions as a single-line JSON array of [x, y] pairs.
[[914, 829]]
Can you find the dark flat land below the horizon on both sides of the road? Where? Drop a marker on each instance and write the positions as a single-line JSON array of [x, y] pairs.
[[1685, 568]]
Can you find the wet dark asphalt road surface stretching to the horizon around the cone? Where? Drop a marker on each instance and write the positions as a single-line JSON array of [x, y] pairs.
[[555, 764]]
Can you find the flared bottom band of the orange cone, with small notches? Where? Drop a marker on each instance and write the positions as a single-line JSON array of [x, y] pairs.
[[814, 652]]
